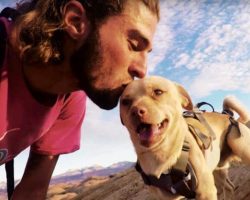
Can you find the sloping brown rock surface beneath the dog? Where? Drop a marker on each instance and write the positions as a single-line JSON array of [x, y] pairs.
[[128, 185]]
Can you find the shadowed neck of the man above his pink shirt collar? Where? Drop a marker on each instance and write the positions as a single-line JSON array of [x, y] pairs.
[[46, 81]]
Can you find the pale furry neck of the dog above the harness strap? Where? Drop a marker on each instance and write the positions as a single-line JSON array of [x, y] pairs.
[[162, 159]]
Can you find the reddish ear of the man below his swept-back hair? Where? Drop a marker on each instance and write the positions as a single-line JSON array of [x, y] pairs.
[[75, 20]]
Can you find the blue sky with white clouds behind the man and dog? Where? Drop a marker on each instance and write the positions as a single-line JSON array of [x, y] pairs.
[[204, 45]]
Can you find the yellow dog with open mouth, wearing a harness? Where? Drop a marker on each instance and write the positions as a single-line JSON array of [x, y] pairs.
[[152, 111]]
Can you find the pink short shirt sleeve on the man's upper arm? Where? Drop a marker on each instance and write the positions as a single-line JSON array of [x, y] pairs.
[[64, 135]]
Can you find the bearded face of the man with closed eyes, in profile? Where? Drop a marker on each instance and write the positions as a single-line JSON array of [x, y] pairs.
[[114, 54]]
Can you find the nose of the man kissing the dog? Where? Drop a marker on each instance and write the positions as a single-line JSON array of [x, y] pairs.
[[138, 68]]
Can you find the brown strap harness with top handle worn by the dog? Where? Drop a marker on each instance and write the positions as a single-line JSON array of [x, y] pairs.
[[181, 179]]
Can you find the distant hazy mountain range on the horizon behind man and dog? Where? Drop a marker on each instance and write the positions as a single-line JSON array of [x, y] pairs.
[[83, 174]]
